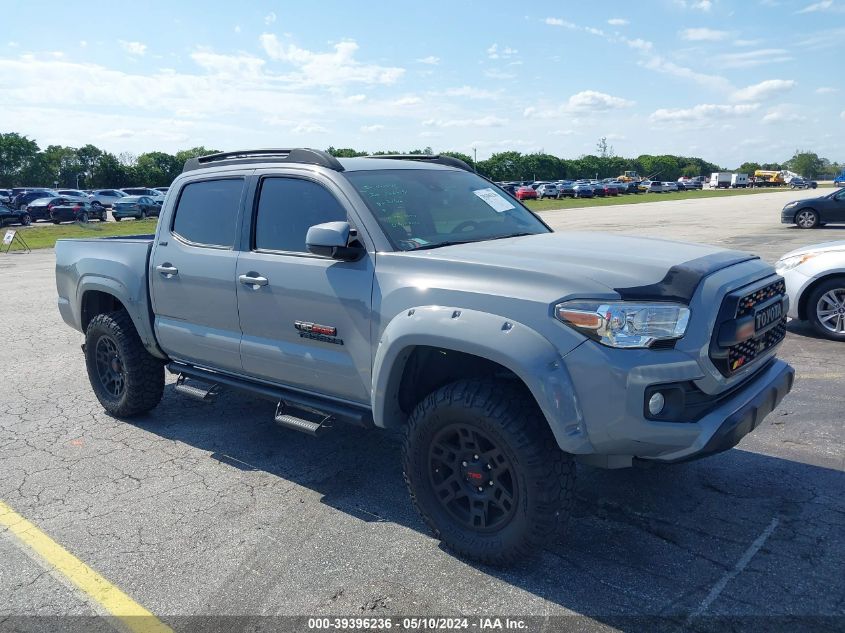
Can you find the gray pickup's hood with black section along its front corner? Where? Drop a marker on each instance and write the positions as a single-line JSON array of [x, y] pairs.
[[636, 268]]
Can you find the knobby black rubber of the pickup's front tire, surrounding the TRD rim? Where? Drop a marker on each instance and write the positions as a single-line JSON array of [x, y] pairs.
[[544, 476]]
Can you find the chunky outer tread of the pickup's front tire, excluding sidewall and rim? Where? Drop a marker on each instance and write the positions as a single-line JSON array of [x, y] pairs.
[[516, 413]]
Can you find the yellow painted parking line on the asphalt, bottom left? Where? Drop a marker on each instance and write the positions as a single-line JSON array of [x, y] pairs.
[[131, 615]]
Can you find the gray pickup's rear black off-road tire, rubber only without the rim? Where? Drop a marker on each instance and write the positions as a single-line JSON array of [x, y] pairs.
[[143, 372]]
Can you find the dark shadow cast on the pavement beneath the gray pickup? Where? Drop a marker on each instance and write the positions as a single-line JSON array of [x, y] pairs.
[[645, 542]]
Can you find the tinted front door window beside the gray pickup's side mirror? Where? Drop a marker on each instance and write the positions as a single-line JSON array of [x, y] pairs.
[[287, 208]]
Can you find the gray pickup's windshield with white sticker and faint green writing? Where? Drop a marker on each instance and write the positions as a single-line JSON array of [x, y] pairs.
[[427, 208]]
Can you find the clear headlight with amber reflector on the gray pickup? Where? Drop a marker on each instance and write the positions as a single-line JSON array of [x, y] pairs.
[[624, 324]]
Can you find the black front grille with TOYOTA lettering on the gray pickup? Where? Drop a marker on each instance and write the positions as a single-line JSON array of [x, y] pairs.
[[737, 312]]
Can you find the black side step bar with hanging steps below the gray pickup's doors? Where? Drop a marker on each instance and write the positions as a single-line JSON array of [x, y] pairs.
[[321, 408]]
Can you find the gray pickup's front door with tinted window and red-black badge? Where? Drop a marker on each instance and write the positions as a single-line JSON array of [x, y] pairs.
[[305, 319]]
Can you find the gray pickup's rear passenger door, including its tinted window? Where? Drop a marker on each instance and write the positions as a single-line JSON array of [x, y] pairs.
[[192, 273]]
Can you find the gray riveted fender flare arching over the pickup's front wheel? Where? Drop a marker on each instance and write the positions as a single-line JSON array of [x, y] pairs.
[[474, 344]]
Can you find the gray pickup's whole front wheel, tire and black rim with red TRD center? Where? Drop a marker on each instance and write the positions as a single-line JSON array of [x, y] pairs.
[[485, 472]]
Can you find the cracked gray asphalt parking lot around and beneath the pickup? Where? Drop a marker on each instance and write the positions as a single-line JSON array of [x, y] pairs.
[[210, 509]]
